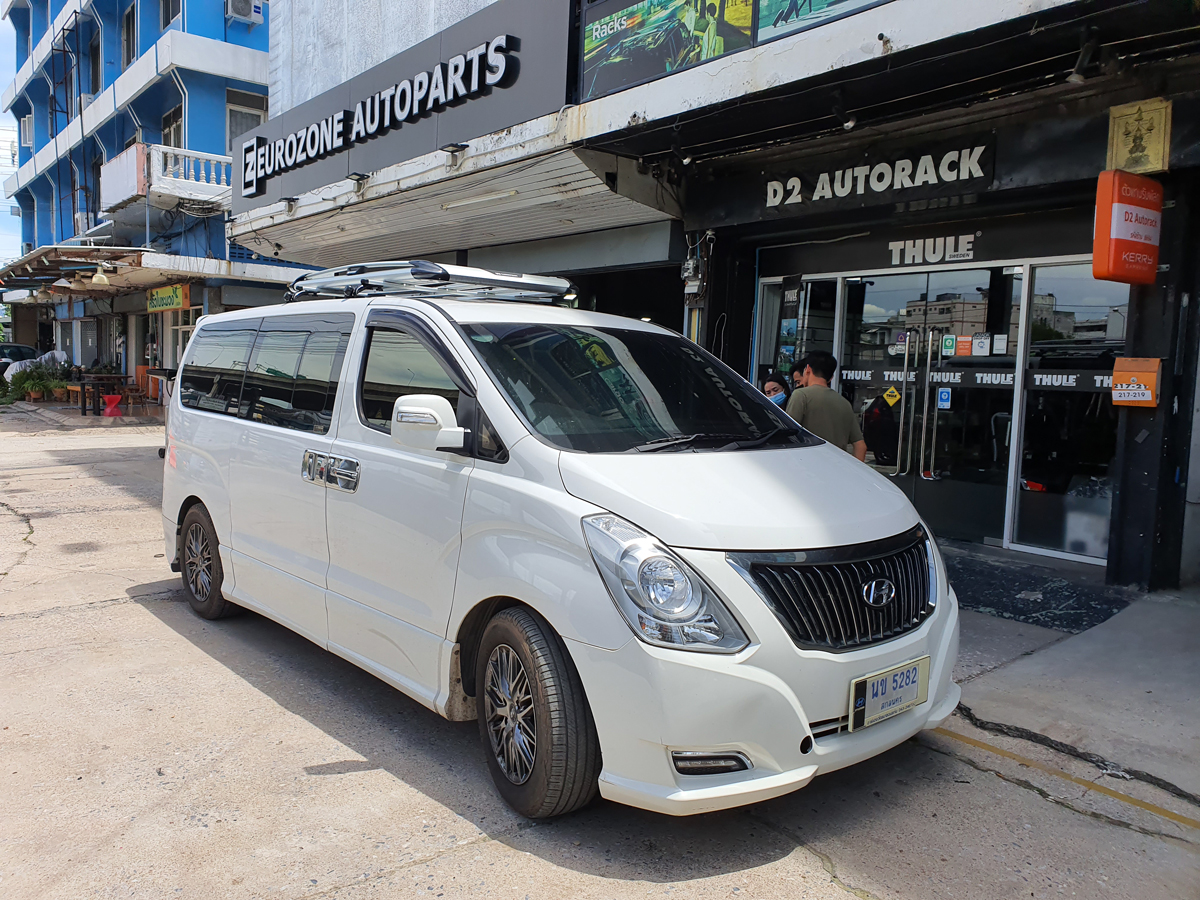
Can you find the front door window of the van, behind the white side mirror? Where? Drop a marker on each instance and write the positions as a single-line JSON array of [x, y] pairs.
[[399, 365]]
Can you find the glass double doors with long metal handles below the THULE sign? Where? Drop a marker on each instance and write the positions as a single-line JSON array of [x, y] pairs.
[[928, 363]]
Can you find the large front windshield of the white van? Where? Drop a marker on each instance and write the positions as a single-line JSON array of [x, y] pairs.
[[616, 391]]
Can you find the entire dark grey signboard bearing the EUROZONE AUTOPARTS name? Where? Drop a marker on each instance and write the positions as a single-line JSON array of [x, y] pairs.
[[505, 65]]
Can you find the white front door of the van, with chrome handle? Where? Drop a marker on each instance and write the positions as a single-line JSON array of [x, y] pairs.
[[395, 526]]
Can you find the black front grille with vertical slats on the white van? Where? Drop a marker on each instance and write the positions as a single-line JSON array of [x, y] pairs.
[[818, 596]]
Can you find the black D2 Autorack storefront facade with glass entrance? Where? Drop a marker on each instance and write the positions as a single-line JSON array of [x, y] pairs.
[[949, 266]]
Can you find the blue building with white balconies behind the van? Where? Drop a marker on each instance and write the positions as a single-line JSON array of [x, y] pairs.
[[128, 111]]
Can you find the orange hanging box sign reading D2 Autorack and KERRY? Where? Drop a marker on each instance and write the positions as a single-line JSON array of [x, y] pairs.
[[1129, 225]]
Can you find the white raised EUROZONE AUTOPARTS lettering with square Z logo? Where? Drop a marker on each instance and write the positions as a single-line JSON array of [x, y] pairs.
[[466, 76]]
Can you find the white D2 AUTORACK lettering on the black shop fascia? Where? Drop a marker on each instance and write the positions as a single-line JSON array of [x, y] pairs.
[[874, 178]]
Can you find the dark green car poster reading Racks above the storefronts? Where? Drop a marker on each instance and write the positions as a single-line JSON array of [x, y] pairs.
[[628, 44]]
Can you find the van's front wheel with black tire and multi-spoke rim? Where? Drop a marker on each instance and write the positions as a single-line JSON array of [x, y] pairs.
[[566, 759]]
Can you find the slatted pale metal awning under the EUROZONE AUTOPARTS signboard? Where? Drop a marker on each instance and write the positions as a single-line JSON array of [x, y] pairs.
[[560, 194]]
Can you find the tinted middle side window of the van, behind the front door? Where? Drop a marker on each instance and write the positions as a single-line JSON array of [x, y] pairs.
[[292, 380]]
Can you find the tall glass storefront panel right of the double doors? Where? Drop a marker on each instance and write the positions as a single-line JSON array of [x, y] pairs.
[[1070, 436]]
